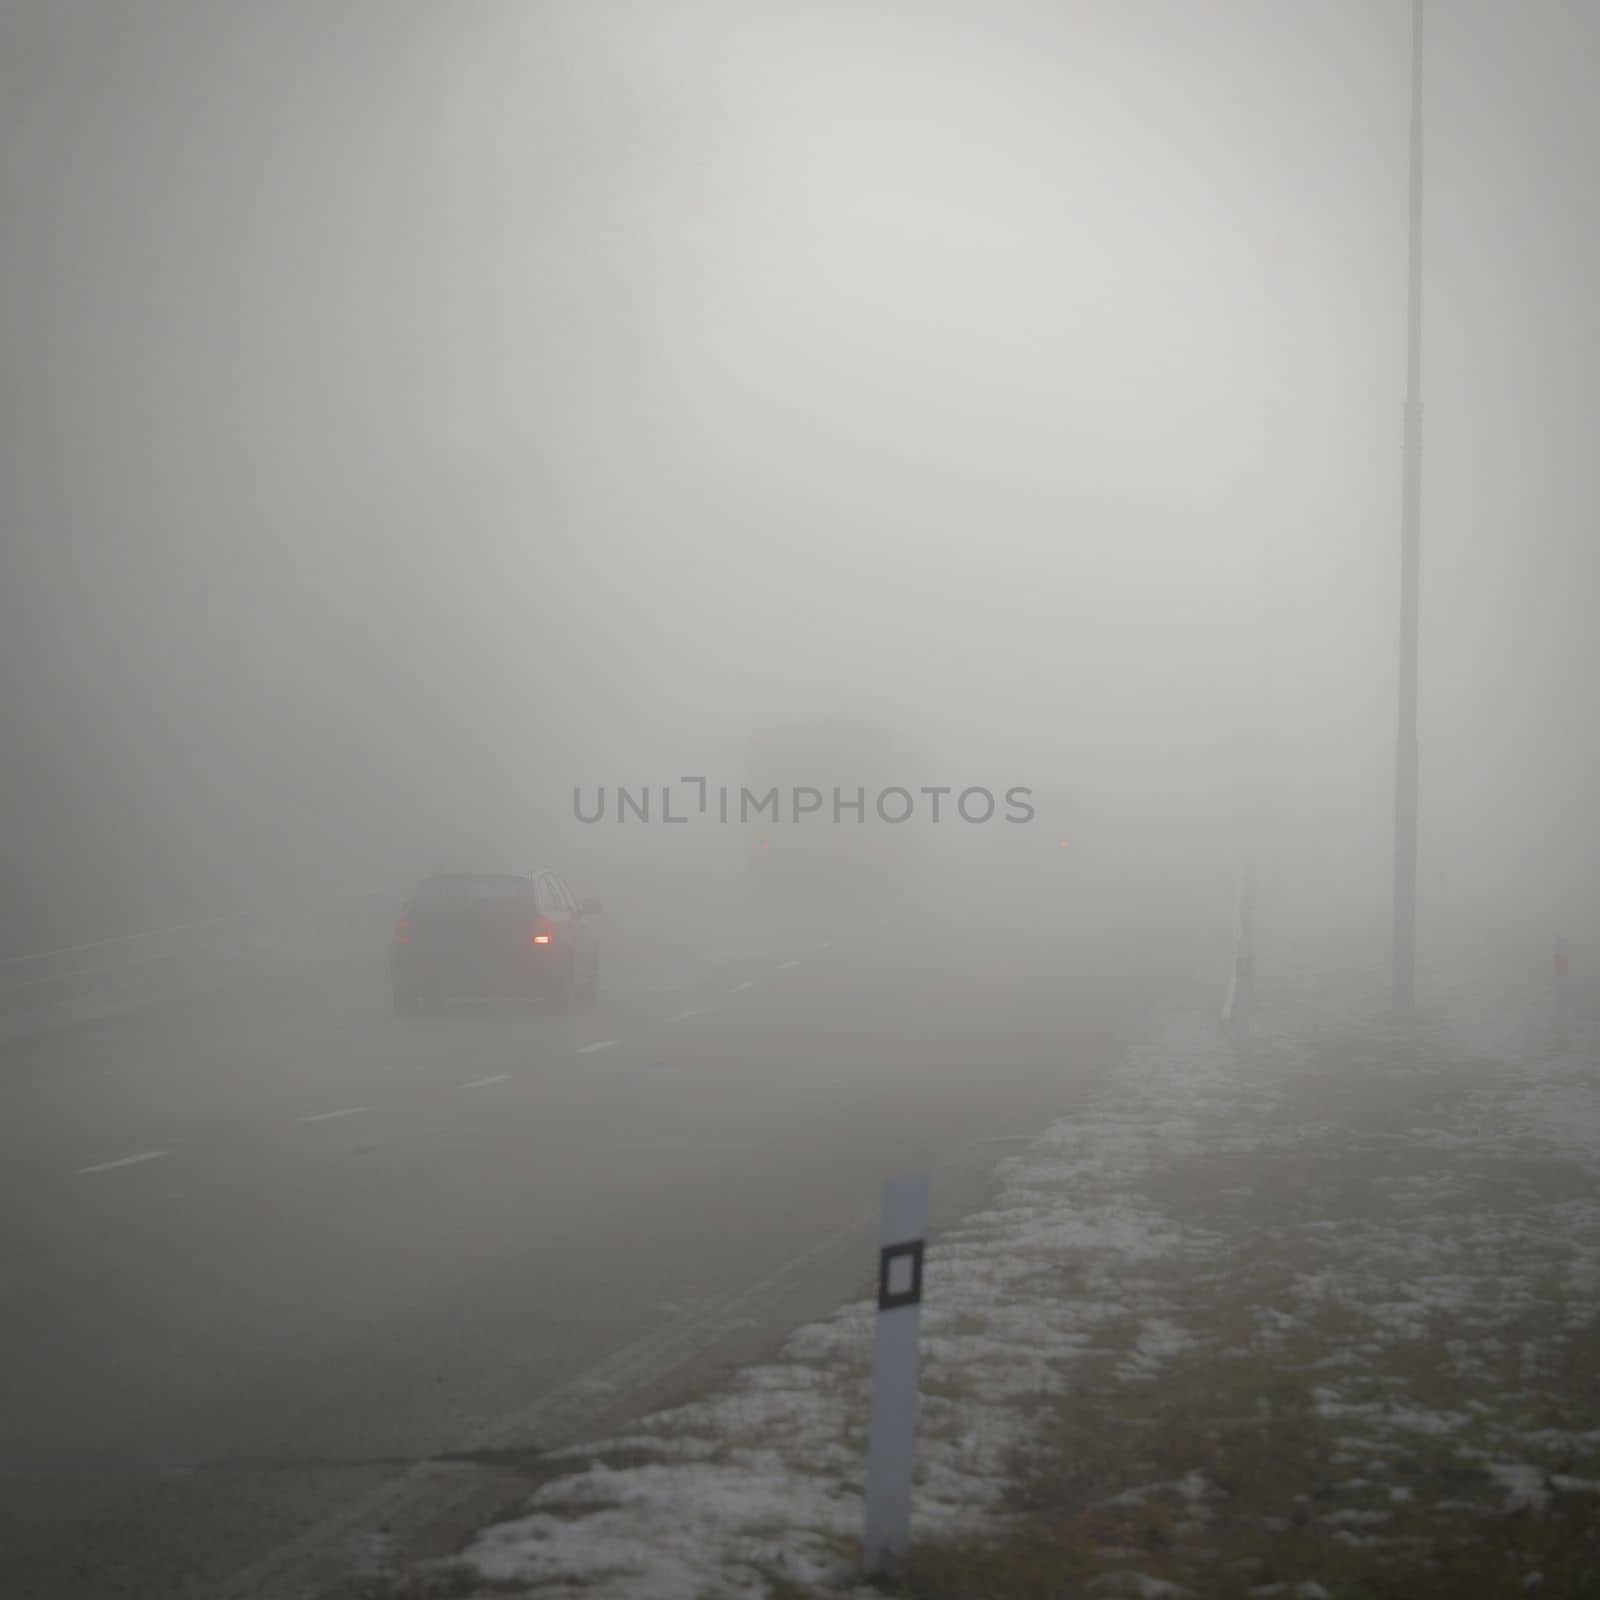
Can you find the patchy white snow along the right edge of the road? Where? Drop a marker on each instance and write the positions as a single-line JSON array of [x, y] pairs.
[[1078, 1257]]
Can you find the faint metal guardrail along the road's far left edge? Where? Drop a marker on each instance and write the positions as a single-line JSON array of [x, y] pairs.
[[89, 983]]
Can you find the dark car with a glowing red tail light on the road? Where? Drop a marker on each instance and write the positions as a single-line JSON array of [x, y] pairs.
[[495, 937]]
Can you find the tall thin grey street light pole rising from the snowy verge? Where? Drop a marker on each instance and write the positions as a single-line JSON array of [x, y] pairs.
[[1410, 570]]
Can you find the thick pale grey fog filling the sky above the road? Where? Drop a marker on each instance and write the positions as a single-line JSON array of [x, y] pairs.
[[415, 412]]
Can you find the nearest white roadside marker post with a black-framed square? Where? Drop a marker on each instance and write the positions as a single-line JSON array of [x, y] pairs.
[[892, 1442]]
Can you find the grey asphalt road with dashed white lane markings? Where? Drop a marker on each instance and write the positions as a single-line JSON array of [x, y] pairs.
[[284, 1271]]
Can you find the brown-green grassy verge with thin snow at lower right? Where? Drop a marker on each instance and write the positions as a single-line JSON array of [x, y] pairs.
[[1390, 1372]]
